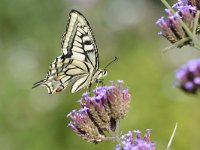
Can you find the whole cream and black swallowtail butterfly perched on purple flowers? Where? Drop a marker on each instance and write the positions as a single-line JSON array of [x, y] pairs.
[[78, 65]]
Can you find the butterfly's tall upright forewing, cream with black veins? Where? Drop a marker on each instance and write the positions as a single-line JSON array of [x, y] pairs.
[[78, 42]]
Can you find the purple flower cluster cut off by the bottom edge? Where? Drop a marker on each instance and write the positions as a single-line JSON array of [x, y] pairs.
[[137, 143]]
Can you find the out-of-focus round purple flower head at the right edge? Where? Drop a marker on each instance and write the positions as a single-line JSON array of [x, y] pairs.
[[188, 76]]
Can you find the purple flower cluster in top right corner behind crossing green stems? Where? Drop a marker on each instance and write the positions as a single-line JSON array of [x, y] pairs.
[[171, 27]]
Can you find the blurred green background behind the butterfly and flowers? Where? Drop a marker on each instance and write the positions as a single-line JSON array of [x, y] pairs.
[[30, 36]]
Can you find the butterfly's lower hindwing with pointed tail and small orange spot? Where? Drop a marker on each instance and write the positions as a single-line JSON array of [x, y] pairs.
[[64, 73]]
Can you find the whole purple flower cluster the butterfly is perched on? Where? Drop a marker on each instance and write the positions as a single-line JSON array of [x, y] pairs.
[[100, 112]]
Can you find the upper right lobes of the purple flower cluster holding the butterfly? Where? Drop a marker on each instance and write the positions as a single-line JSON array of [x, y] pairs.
[[108, 104]]
